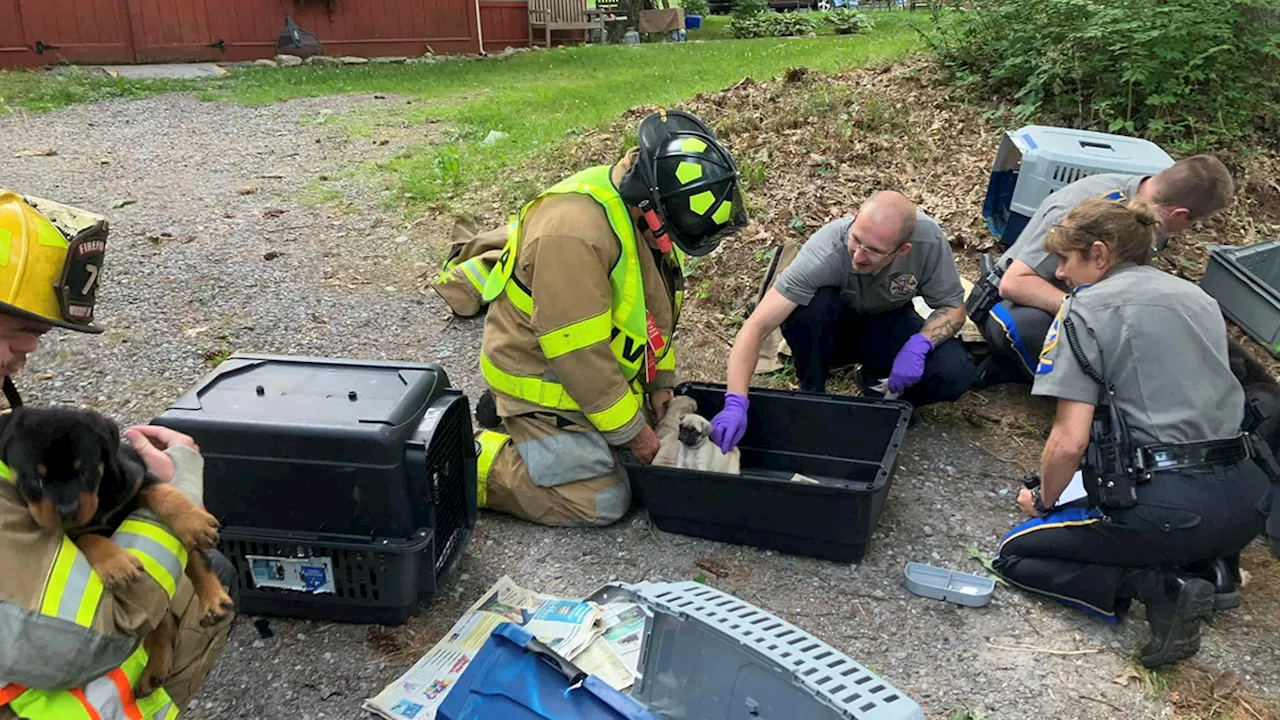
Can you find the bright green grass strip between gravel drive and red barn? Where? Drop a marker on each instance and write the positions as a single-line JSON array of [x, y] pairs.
[[538, 99]]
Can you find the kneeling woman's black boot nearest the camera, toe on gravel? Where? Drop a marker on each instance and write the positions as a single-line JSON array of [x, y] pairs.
[[1176, 608]]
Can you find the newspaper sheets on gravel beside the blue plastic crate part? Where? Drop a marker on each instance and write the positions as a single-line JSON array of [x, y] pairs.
[[598, 640]]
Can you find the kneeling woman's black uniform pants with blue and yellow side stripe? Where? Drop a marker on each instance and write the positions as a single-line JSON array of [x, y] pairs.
[[1183, 517]]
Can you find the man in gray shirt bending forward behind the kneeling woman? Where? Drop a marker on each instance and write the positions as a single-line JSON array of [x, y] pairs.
[[1190, 190]]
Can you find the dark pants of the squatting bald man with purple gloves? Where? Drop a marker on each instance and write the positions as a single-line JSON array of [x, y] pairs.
[[826, 335]]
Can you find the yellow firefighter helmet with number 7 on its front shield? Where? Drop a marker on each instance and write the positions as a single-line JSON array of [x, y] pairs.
[[44, 276]]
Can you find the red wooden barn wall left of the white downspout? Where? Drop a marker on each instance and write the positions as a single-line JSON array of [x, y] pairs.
[[35, 33]]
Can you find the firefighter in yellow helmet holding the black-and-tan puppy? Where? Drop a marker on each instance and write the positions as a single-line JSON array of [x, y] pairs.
[[71, 649]]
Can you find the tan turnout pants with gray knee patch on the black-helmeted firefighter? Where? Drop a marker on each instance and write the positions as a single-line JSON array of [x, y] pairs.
[[543, 470]]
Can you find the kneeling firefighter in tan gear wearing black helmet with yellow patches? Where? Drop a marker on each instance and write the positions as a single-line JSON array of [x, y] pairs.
[[583, 298]]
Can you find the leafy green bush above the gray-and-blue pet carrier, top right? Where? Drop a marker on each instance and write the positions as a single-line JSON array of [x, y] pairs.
[[1190, 72]]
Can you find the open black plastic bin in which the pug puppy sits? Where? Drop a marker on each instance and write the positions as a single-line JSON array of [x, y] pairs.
[[848, 444]]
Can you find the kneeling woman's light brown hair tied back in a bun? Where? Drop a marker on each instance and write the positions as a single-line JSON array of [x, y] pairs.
[[1130, 230]]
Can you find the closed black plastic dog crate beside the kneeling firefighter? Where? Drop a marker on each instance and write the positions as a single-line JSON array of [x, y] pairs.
[[368, 468]]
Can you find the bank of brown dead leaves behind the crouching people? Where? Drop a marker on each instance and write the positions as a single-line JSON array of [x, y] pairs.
[[813, 147]]
